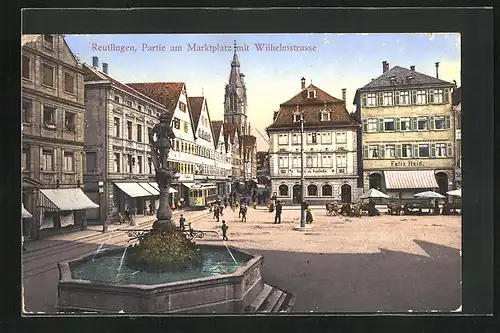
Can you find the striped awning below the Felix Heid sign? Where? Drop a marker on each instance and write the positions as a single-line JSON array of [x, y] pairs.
[[410, 179]]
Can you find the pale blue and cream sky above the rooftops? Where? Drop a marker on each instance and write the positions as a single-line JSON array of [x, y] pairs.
[[333, 62]]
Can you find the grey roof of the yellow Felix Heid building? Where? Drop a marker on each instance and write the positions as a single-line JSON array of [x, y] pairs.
[[400, 77]]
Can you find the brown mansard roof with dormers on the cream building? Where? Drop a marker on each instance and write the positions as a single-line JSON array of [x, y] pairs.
[[312, 108]]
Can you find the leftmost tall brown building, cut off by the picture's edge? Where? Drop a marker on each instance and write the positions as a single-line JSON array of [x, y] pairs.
[[52, 117]]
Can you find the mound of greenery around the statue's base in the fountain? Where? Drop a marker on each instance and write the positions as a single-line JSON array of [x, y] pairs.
[[163, 251]]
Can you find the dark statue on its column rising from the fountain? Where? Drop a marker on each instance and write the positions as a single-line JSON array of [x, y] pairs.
[[161, 139]]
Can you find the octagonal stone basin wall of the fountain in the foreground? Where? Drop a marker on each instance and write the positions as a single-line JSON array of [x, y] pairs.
[[219, 293]]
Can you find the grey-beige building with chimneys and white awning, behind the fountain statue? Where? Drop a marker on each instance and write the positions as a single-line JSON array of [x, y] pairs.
[[119, 172]]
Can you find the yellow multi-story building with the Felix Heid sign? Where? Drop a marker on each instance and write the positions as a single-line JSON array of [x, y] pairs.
[[407, 137]]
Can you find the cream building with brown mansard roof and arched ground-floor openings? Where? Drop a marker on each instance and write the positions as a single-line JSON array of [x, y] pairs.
[[329, 156]]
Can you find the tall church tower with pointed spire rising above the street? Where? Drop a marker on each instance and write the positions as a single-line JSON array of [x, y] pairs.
[[235, 97]]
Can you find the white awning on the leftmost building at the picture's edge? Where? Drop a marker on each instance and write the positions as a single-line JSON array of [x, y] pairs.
[[68, 198]]
